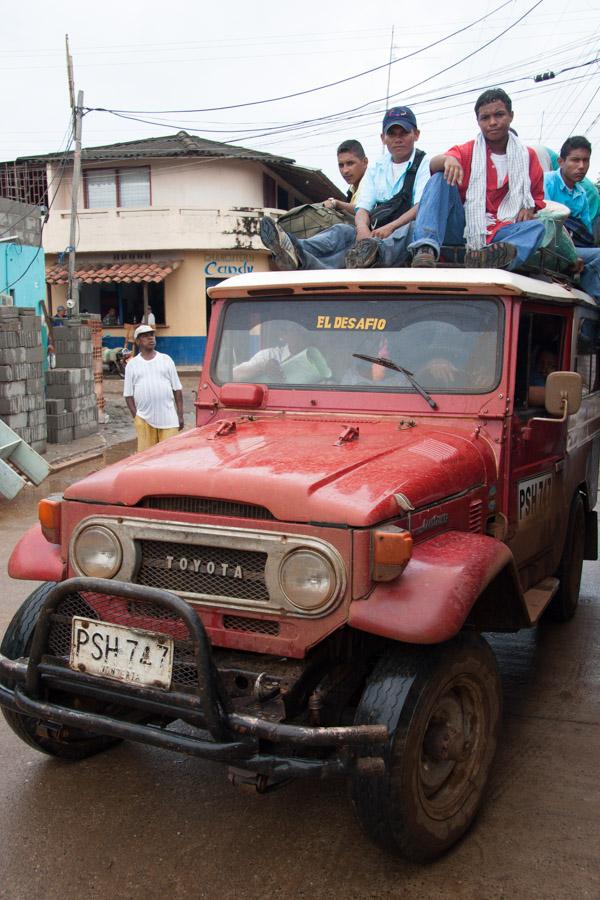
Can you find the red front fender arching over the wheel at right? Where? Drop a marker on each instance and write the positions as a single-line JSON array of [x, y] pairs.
[[451, 579]]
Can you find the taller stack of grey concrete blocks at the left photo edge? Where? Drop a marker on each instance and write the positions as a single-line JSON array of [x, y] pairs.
[[22, 400]]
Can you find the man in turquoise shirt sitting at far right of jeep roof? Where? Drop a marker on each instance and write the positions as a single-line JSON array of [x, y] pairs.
[[564, 186]]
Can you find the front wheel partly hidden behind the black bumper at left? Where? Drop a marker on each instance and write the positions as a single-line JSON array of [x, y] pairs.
[[43, 736]]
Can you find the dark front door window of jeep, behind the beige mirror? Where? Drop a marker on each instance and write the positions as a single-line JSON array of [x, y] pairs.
[[540, 351]]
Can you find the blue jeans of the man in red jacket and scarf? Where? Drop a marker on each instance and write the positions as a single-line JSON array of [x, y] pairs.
[[441, 220]]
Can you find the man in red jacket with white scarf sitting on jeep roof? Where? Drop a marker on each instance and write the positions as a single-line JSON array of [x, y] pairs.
[[484, 194]]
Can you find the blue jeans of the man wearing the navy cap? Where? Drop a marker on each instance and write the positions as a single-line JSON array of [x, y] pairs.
[[328, 249]]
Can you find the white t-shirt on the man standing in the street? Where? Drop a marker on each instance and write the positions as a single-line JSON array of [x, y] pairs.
[[151, 383]]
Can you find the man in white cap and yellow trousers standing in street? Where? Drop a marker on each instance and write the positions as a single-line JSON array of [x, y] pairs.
[[152, 391]]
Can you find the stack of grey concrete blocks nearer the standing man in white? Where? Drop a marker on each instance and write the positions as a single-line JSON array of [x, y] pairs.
[[71, 406]]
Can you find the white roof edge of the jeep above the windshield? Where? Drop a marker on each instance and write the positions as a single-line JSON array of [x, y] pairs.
[[425, 281]]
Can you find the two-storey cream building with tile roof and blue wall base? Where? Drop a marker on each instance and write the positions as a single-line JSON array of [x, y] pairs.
[[159, 221]]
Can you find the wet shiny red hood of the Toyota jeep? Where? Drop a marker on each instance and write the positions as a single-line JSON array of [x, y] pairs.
[[301, 469]]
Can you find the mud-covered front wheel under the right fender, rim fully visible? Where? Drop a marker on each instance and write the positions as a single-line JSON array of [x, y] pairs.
[[442, 706]]
